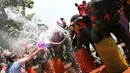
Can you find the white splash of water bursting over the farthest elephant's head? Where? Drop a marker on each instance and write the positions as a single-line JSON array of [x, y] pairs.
[[54, 34]]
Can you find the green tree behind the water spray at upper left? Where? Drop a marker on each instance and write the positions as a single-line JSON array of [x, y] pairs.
[[9, 27]]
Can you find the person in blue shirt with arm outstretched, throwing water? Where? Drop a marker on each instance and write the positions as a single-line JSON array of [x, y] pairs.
[[15, 67]]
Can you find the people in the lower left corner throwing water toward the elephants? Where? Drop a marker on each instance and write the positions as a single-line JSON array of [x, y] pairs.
[[15, 63]]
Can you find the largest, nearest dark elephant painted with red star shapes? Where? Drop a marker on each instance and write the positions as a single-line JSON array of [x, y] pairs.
[[108, 16]]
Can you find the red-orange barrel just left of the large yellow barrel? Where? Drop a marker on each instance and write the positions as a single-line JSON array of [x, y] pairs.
[[84, 59]]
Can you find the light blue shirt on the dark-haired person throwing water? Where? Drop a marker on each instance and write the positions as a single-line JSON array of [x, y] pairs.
[[15, 67]]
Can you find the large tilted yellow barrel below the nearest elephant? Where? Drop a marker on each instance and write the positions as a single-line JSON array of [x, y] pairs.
[[111, 56]]
